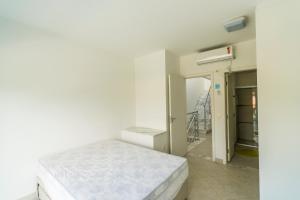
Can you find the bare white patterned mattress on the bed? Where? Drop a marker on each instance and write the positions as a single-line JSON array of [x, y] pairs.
[[112, 170]]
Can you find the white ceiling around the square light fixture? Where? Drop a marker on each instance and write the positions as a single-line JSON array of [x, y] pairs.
[[136, 27]]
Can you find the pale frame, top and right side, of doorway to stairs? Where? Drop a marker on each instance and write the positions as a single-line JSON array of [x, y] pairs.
[[212, 99]]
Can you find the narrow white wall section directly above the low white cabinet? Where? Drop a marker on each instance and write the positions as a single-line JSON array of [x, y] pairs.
[[150, 91]]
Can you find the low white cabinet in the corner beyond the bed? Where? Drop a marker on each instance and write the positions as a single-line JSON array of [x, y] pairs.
[[147, 137]]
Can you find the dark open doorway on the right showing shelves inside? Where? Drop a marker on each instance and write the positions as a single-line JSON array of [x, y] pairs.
[[242, 116]]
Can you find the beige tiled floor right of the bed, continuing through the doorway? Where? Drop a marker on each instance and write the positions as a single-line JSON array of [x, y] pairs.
[[211, 181]]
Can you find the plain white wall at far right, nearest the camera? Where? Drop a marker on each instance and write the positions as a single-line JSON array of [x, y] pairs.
[[278, 99]]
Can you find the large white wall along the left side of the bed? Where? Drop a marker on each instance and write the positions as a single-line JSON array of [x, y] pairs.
[[53, 96]]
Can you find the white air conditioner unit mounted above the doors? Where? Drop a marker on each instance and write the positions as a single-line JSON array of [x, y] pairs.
[[215, 55]]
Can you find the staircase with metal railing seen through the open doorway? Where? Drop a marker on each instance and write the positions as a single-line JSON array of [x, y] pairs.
[[199, 121]]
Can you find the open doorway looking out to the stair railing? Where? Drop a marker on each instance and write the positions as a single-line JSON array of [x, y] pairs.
[[199, 116]]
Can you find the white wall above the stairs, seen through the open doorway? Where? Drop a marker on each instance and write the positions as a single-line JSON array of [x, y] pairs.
[[195, 88]]
